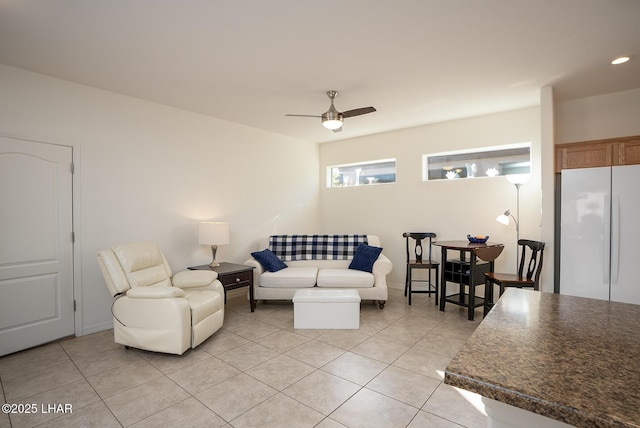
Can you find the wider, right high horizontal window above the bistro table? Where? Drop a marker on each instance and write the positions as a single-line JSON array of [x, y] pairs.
[[489, 162]]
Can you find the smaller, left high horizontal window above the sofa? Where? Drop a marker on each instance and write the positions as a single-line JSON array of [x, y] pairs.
[[362, 173]]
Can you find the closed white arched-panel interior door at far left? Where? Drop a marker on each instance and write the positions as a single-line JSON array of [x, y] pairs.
[[36, 249]]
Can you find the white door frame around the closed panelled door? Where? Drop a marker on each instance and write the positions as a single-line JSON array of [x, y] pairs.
[[76, 220]]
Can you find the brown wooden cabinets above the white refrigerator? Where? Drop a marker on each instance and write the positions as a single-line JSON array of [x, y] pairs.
[[590, 154]]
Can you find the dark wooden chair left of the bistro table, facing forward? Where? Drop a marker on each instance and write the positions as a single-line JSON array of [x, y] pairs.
[[415, 260]]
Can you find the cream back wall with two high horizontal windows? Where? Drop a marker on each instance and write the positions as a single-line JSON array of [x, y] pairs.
[[451, 208]]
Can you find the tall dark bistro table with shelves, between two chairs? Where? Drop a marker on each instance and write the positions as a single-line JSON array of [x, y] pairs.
[[466, 272]]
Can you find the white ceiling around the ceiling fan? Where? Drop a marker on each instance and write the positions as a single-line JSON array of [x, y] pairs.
[[253, 61]]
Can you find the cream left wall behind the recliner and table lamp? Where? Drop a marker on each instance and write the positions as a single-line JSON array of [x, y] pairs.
[[148, 171]]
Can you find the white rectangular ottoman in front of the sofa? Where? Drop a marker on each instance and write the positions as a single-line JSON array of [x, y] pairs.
[[318, 308]]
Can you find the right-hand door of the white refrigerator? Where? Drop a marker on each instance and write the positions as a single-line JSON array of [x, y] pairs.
[[625, 234]]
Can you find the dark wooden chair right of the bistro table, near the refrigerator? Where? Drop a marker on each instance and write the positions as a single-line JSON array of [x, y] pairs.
[[530, 279]]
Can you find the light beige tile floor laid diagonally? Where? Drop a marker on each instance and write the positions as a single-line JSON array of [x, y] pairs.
[[257, 371]]
